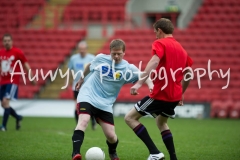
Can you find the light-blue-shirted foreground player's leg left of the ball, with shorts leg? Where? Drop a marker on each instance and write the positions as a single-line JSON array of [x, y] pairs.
[[84, 110]]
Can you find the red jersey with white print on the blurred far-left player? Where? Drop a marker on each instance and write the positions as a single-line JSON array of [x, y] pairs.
[[8, 58]]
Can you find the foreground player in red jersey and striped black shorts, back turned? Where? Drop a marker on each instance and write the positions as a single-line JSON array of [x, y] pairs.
[[167, 55]]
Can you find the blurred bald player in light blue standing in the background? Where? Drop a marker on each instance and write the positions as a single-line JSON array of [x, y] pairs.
[[77, 63]]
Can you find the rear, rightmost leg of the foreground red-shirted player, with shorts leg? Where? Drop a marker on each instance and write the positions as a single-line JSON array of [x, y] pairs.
[[167, 137]]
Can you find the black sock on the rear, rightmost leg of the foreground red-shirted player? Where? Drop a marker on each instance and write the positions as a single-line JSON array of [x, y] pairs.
[[168, 141]]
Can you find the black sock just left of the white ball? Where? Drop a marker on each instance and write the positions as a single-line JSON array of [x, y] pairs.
[[77, 140]]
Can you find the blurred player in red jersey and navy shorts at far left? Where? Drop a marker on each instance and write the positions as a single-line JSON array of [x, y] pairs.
[[9, 84]]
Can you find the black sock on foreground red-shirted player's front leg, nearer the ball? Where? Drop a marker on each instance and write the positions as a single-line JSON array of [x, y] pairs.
[[142, 133]]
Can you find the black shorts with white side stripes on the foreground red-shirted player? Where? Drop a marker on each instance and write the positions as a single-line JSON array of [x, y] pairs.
[[149, 106]]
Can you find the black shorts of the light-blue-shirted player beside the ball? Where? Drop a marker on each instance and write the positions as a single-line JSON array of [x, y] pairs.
[[87, 108]]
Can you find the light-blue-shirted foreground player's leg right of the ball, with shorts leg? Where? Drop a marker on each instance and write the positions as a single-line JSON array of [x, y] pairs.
[[106, 121]]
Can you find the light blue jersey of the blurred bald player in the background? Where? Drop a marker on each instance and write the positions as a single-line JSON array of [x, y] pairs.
[[77, 63]]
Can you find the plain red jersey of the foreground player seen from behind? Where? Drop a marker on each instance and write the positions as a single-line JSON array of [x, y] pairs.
[[172, 56]]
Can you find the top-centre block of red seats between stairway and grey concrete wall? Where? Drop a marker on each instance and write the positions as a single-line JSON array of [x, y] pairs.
[[96, 11]]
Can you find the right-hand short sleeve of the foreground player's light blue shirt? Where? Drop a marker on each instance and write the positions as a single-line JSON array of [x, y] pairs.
[[132, 74]]
